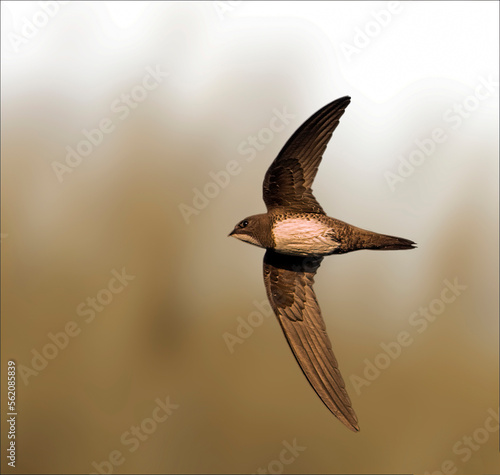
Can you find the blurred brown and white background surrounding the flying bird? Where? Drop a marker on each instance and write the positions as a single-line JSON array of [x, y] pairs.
[[136, 134]]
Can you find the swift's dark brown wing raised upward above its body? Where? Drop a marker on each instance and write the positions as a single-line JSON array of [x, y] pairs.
[[288, 181]]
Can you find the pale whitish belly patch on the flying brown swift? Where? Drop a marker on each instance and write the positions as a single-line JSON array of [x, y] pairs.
[[303, 237]]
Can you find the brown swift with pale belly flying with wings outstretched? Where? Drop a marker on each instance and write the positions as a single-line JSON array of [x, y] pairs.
[[297, 234]]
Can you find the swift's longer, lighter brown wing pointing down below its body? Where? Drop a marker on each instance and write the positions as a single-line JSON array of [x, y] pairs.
[[289, 282]]
